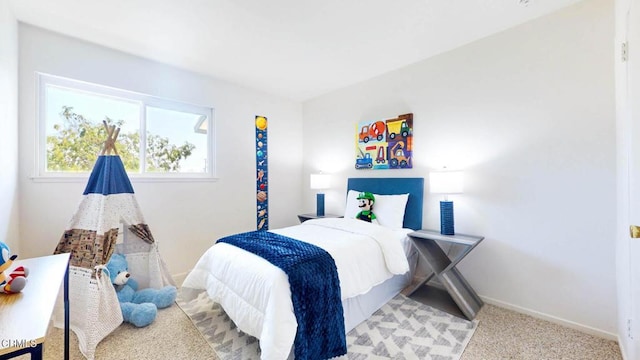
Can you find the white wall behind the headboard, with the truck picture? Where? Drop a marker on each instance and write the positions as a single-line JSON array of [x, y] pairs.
[[528, 114]]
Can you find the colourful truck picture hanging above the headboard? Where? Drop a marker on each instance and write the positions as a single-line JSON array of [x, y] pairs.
[[385, 144]]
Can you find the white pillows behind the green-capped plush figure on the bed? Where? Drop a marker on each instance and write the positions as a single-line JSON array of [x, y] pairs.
[[389, 209]]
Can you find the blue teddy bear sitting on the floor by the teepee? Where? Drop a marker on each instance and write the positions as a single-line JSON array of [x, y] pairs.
[[139, 307]]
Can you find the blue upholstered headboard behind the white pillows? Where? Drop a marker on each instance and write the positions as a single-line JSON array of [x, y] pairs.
[[392, 186]]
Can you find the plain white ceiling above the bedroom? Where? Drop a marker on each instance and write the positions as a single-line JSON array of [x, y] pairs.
[[297, 49]]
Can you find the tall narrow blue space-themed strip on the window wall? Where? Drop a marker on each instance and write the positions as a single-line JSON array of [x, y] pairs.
[[262, 182]]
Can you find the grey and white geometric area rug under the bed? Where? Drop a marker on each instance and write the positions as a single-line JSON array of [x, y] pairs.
[[401, 329]]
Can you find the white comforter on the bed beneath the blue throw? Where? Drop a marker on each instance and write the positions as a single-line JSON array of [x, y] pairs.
[[256, 295]]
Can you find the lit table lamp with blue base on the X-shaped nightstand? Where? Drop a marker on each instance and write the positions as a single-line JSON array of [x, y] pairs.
[[446, 182]]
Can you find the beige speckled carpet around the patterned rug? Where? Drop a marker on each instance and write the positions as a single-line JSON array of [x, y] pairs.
[[501, 334]]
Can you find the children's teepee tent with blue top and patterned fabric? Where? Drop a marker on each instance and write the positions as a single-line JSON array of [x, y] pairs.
[[92, 236]]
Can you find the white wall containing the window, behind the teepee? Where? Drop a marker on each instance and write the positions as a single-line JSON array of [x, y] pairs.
[[185, 217]]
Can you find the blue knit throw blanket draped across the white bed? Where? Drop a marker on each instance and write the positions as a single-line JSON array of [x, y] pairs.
[[315, 290]]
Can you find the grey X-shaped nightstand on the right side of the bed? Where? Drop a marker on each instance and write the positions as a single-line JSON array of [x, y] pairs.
[[442, 267]]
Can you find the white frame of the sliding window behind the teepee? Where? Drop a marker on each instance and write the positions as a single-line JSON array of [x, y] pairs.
[[144, 100]]
